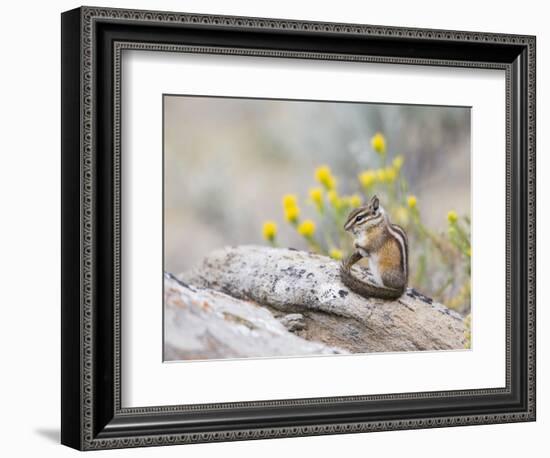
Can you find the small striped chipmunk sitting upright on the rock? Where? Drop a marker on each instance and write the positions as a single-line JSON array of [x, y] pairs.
[[384, 245]]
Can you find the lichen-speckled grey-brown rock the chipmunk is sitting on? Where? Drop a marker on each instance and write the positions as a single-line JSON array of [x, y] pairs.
[[291, 281]]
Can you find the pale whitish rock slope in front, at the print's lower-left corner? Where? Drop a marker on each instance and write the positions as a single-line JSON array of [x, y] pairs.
[[200, 323]]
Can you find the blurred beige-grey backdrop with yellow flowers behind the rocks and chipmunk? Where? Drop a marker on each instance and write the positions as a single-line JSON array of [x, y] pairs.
[[229, 162]]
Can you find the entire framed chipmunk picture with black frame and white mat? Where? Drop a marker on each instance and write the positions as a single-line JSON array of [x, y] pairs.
[[276, 228]]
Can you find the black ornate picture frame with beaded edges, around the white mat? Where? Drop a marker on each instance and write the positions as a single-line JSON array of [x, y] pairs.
[[92, 42]]
